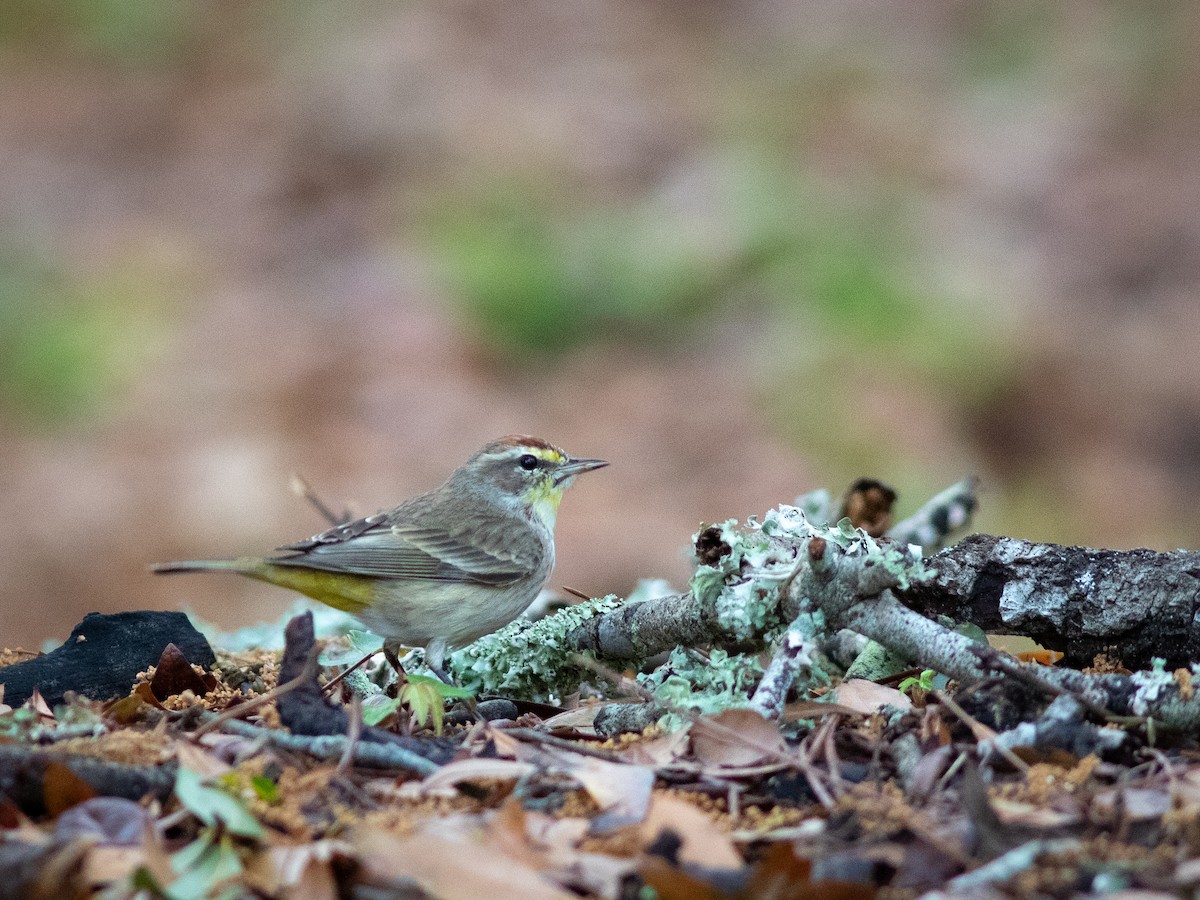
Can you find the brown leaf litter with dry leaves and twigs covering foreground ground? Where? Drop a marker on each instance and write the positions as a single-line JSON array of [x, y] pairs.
[[855, 793]]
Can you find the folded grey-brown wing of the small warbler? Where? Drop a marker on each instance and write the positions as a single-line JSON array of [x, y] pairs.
[[380, 549]]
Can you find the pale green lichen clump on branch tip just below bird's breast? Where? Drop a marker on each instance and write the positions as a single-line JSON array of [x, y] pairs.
[[527, 659]]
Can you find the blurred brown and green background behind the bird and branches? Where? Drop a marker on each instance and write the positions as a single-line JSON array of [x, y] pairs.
[[742, 250]]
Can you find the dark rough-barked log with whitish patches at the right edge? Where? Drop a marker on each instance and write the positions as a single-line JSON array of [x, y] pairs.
[[1133, 604]]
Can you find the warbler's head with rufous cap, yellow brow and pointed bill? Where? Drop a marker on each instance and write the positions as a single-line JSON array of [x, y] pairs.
[[530, 471]]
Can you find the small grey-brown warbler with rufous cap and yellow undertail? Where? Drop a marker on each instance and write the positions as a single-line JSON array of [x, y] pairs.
[[445, 568]]
